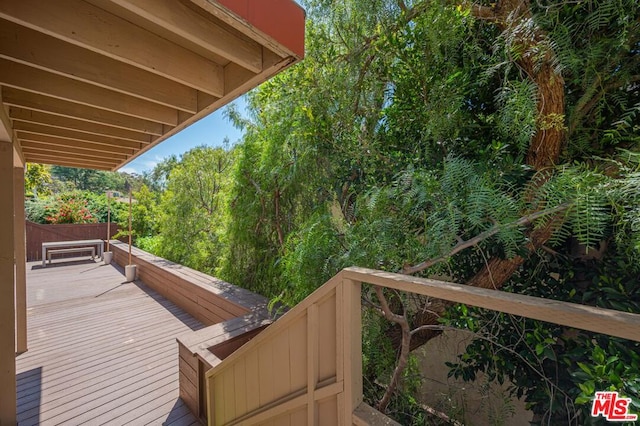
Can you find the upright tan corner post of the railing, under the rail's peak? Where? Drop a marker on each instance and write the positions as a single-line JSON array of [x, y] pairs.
[[352, 344]]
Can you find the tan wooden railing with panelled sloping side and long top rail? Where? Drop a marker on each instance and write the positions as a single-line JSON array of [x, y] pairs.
[[306, 368]]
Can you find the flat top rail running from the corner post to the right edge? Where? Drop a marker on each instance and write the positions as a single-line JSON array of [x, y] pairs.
[[607, 321]]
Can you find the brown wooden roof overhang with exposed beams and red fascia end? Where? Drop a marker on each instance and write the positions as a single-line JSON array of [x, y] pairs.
[[95, 83]]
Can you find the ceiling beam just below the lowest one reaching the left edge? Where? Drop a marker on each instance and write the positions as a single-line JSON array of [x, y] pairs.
[[28, 116]]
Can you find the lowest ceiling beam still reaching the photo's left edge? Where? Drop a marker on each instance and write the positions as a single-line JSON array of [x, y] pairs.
[[18, 98]]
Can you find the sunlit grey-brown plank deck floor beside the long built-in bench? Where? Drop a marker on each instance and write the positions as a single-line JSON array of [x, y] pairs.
[[101, 351]]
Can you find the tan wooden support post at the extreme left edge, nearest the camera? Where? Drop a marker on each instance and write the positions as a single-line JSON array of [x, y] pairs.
[[7, 294]]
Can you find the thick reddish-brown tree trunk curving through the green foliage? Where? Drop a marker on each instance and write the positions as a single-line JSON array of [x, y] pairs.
[[514, 16]]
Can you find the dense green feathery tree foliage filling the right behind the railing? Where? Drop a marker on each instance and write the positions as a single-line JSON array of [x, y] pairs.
[[494, 144]]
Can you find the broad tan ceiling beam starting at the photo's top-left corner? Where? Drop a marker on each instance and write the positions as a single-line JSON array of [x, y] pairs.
[[92, 28]]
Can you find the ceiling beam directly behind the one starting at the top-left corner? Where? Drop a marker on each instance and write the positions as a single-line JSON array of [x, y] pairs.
[[35, 49]]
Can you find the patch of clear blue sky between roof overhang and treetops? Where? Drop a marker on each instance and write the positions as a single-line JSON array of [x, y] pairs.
[[211, 131]]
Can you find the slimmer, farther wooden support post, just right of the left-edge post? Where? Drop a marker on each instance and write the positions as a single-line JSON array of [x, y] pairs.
[[20, 256]]
